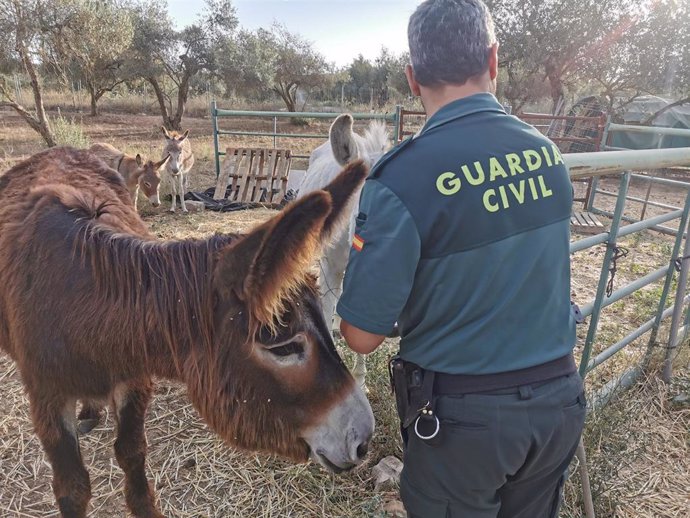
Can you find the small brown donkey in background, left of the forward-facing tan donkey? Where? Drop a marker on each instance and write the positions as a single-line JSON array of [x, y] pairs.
[[135, 172]]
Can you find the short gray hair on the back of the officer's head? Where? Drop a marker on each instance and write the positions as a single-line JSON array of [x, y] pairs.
[[450, 41]]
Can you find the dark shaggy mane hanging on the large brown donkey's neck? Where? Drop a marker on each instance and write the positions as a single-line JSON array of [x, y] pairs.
[[165, 284]]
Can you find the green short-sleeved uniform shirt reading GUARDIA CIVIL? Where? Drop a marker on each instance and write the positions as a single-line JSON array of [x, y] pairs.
[[463, 239]]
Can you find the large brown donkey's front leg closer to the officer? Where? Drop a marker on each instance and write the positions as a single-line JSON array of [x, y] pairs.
[[130, 447]]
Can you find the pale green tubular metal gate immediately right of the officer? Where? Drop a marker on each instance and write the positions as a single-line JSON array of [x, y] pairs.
[[584, 165]]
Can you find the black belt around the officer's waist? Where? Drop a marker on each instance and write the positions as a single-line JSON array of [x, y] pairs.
[[449, 384]]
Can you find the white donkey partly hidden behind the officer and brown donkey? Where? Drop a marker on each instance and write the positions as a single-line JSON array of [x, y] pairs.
[[324, 164]]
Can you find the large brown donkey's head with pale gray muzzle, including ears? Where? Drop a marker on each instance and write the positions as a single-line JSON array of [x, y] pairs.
[[275, 381]]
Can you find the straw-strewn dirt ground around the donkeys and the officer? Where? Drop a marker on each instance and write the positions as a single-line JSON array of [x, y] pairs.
[[638, 447]]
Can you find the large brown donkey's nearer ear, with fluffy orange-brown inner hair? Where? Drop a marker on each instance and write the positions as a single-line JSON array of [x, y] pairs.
[[266, 267]]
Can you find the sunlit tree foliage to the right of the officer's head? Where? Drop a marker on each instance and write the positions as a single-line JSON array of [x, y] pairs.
[[620, 48]]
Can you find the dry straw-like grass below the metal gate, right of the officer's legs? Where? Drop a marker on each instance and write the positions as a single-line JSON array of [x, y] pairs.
[[639, 453]]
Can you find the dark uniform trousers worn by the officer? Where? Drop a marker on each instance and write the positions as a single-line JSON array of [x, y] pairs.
[[501, 454]]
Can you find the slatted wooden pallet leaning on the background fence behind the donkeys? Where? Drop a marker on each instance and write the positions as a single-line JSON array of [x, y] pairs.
[[254, 175]]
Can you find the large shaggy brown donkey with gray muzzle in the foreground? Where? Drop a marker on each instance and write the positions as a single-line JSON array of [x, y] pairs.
[[235, 317]]
